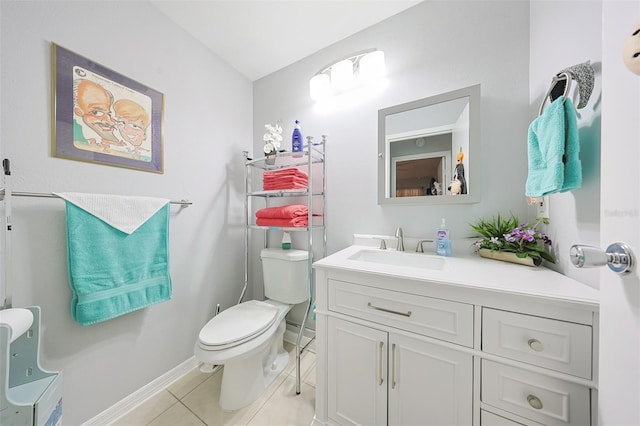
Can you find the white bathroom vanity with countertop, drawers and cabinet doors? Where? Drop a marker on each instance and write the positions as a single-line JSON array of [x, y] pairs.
[[417, 339]]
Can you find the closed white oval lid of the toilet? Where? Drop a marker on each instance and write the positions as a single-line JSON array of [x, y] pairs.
[[238, 323]]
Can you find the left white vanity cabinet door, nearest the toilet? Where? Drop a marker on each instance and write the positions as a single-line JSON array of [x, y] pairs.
[[356, 374]]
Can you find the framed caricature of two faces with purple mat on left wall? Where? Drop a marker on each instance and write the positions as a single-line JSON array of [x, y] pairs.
[[101, 116]]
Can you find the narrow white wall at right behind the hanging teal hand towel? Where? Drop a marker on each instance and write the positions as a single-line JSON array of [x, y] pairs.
[[566, 33]]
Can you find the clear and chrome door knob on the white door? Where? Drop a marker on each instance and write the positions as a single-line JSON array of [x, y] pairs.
[[618, 257]]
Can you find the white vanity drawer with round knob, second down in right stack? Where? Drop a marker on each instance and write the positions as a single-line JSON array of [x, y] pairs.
[[540, 398]]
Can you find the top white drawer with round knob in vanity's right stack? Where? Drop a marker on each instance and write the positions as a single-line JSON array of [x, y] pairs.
[[557, 345]]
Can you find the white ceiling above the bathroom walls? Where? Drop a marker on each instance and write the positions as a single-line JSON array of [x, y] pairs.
[[260, 37]]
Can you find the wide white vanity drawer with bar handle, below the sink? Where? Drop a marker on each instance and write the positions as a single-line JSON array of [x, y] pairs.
[[441, 319]]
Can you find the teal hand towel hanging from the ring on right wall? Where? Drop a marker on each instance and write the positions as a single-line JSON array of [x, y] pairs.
[[553, 151]]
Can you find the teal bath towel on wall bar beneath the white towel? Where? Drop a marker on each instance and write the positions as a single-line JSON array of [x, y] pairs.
[[111, 272]]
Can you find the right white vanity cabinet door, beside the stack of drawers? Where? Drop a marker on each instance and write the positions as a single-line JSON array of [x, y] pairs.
[[428, 384]]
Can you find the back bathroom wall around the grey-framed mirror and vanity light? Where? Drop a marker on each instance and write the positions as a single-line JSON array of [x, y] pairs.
[[431, 48]]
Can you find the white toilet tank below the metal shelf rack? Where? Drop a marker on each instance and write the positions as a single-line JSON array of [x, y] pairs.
[[286, 275]]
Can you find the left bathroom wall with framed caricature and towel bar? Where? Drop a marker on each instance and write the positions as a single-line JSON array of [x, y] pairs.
[[207, 123]]
